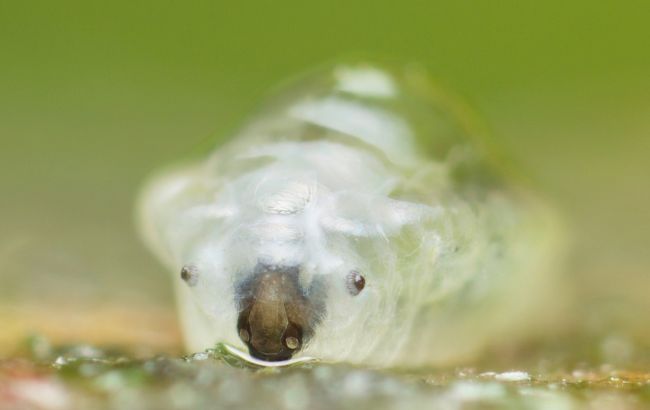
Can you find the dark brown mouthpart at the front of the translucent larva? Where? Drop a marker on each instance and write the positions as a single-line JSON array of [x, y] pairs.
[[276, 317]]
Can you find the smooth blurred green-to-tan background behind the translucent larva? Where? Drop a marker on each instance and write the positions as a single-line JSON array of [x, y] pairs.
[[94, 96]]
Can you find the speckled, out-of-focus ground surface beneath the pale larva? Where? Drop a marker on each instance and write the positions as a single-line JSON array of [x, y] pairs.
[[609, 375]]
